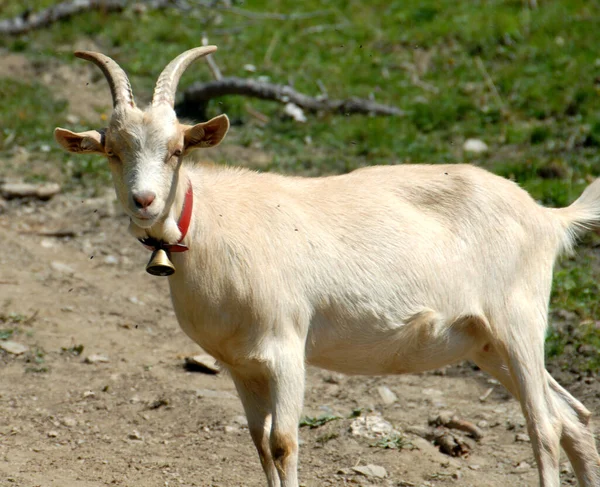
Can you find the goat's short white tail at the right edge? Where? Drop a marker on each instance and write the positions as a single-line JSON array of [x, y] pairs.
[[582, 215]]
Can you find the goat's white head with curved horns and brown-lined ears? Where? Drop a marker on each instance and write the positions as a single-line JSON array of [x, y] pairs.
[[145, 148]]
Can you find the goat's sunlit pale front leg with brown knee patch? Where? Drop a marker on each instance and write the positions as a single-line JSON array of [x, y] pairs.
[[287, 395]]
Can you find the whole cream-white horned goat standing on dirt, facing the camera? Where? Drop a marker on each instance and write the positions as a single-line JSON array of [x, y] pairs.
[[385, 270]]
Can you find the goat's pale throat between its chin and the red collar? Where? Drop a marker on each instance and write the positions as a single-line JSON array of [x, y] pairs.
[[166, 228]]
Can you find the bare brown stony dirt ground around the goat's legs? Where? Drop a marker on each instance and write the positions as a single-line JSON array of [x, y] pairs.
[[138, 418]]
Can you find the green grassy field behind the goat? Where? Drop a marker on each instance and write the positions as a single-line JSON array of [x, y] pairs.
[[526, 81]]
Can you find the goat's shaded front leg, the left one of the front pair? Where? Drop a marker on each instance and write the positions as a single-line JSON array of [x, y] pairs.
[[256, 399]]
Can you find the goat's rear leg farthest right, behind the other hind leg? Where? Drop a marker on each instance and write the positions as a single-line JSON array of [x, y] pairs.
[[577, 438]]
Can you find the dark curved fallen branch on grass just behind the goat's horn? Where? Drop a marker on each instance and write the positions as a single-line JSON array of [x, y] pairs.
[[196, 97]]
